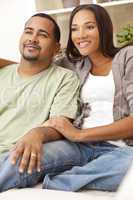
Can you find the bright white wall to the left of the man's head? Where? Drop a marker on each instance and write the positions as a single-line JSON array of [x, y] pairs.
[[13, 14]]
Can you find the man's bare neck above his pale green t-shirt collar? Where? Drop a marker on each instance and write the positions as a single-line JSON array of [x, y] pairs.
[[27, 68]]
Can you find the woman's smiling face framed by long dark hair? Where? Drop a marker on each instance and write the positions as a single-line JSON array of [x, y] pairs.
[[85, 35]]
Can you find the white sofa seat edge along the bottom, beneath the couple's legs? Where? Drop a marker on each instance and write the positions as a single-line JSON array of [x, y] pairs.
[[45, 194]]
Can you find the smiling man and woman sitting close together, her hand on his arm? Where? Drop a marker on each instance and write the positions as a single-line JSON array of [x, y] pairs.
[[97, 152]]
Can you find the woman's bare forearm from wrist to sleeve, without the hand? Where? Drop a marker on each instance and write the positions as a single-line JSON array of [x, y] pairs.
[[118, 130]]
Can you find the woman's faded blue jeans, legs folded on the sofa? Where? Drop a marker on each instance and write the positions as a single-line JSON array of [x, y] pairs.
[[105, 169]]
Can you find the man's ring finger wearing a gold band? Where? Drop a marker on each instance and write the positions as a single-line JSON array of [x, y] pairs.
[[32, 162]]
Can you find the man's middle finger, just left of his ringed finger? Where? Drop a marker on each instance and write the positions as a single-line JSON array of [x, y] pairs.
[[24, 160]]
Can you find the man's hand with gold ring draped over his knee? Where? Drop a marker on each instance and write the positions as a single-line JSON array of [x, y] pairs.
[[29, 149]]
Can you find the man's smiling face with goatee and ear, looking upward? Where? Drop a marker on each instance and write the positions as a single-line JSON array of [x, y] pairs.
[[37, 42]]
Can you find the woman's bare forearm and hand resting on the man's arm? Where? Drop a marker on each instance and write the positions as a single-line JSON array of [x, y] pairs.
[[118, 130]]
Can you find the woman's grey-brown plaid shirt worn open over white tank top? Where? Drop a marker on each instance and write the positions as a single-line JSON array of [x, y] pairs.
[[122, 68]]
